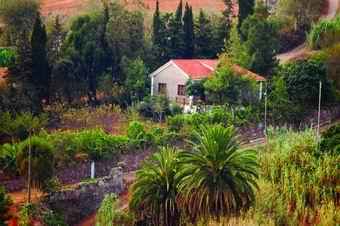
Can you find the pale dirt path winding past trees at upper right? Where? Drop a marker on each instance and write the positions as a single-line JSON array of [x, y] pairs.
[[301, 49]]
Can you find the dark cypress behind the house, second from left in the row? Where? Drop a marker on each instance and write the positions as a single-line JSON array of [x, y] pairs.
[[176, 32]]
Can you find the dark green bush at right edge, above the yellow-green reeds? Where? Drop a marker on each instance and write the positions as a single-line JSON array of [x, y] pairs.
[[330, 142]]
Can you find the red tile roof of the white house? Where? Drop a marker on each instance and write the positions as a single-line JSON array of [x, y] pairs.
[[203, 68]]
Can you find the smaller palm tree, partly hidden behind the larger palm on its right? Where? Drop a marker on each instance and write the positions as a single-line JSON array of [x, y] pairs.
[[154, 193]]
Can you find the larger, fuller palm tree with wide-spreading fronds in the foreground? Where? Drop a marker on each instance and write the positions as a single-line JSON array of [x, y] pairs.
[[216, 178]]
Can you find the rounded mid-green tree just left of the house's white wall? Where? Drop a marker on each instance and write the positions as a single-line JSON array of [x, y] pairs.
[[137, 80]]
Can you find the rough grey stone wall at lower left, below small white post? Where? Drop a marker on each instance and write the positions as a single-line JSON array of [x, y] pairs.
[[77, 203]]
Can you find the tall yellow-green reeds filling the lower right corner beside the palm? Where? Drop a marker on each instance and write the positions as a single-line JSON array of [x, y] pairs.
[[300, 182]]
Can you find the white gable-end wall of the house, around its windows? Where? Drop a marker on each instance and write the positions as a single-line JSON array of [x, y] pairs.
[[173, 77]]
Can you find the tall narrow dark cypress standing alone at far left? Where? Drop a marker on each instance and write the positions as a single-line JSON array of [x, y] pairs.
[[41, 72]]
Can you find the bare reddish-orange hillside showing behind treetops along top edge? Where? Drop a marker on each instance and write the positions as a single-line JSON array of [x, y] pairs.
[[76, 6]]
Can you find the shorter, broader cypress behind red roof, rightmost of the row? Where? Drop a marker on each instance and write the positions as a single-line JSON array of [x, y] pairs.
[[204, 37]]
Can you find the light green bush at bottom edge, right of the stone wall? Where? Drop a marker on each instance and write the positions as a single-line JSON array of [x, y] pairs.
[[108, 213]]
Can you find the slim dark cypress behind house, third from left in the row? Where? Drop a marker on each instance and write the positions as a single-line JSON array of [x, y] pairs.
[[188, 30]]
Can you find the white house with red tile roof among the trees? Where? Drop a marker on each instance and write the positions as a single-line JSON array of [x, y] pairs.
[[172, 76]]
